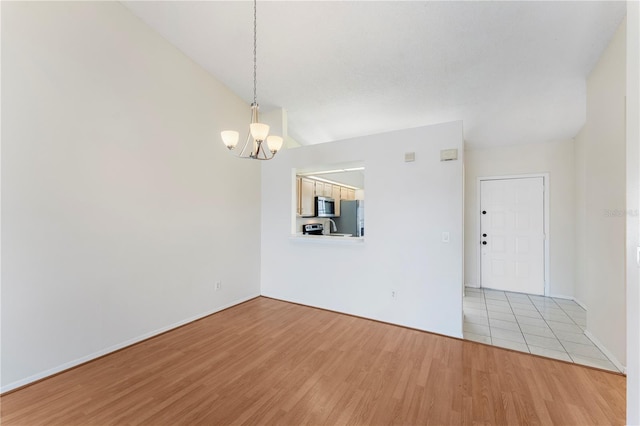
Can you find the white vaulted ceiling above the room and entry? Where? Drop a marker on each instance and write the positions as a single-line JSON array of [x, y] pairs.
[[514, 72]]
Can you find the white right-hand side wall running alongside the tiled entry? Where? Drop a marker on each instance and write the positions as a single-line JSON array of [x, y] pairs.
[[601, 180]]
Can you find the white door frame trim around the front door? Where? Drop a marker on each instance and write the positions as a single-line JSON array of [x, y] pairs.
[[545, 183]]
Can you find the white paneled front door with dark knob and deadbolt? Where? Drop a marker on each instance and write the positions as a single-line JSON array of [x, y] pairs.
[[512, 234]]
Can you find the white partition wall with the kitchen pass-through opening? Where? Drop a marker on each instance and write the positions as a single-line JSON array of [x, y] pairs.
[[408, 206]]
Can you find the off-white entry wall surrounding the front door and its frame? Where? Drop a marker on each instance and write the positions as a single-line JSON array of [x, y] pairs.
[[554, 158]]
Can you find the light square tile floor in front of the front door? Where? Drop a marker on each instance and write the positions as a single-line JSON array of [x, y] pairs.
[[534, 324]]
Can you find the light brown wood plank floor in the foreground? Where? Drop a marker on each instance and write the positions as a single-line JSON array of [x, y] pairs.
[[271, 362]]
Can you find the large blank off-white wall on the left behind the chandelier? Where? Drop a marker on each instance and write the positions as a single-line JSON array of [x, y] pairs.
[[120, 205]]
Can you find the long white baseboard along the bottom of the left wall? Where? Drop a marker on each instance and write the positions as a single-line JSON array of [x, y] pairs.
[[106, 351]]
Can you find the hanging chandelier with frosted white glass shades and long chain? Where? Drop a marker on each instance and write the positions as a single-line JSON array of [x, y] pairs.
[[258, 132]]
